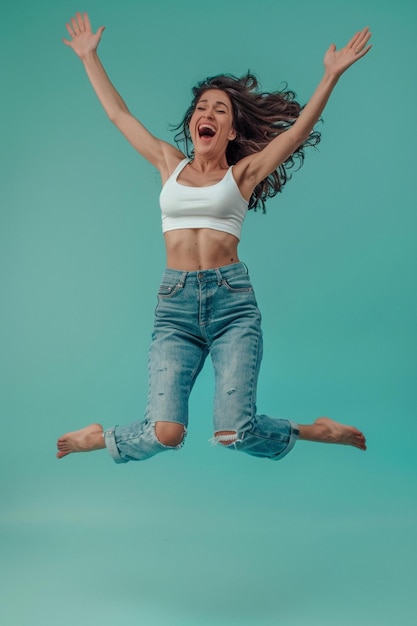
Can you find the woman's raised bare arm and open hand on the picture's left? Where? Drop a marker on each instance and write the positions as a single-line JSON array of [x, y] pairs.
[[84, 42]]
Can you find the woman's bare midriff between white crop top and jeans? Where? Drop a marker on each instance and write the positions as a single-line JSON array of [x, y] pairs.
[[193, 249]]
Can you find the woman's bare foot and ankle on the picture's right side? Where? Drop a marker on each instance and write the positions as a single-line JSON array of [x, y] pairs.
[[325, 430]]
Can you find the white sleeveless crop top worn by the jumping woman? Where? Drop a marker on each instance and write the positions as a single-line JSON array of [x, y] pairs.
[[219, 206]]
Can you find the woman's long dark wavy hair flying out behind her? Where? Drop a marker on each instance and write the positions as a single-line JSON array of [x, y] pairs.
[[258, 117]]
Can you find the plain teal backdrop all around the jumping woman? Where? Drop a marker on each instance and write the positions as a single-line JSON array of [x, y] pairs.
[[205, 537]]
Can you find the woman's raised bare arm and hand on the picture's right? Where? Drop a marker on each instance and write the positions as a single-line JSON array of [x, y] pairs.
[[256, 167]]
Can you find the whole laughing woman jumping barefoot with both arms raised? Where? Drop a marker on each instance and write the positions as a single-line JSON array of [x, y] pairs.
[[242, 142]]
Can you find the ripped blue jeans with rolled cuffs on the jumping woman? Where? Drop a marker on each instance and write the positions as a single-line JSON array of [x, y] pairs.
[[210, 311]]
